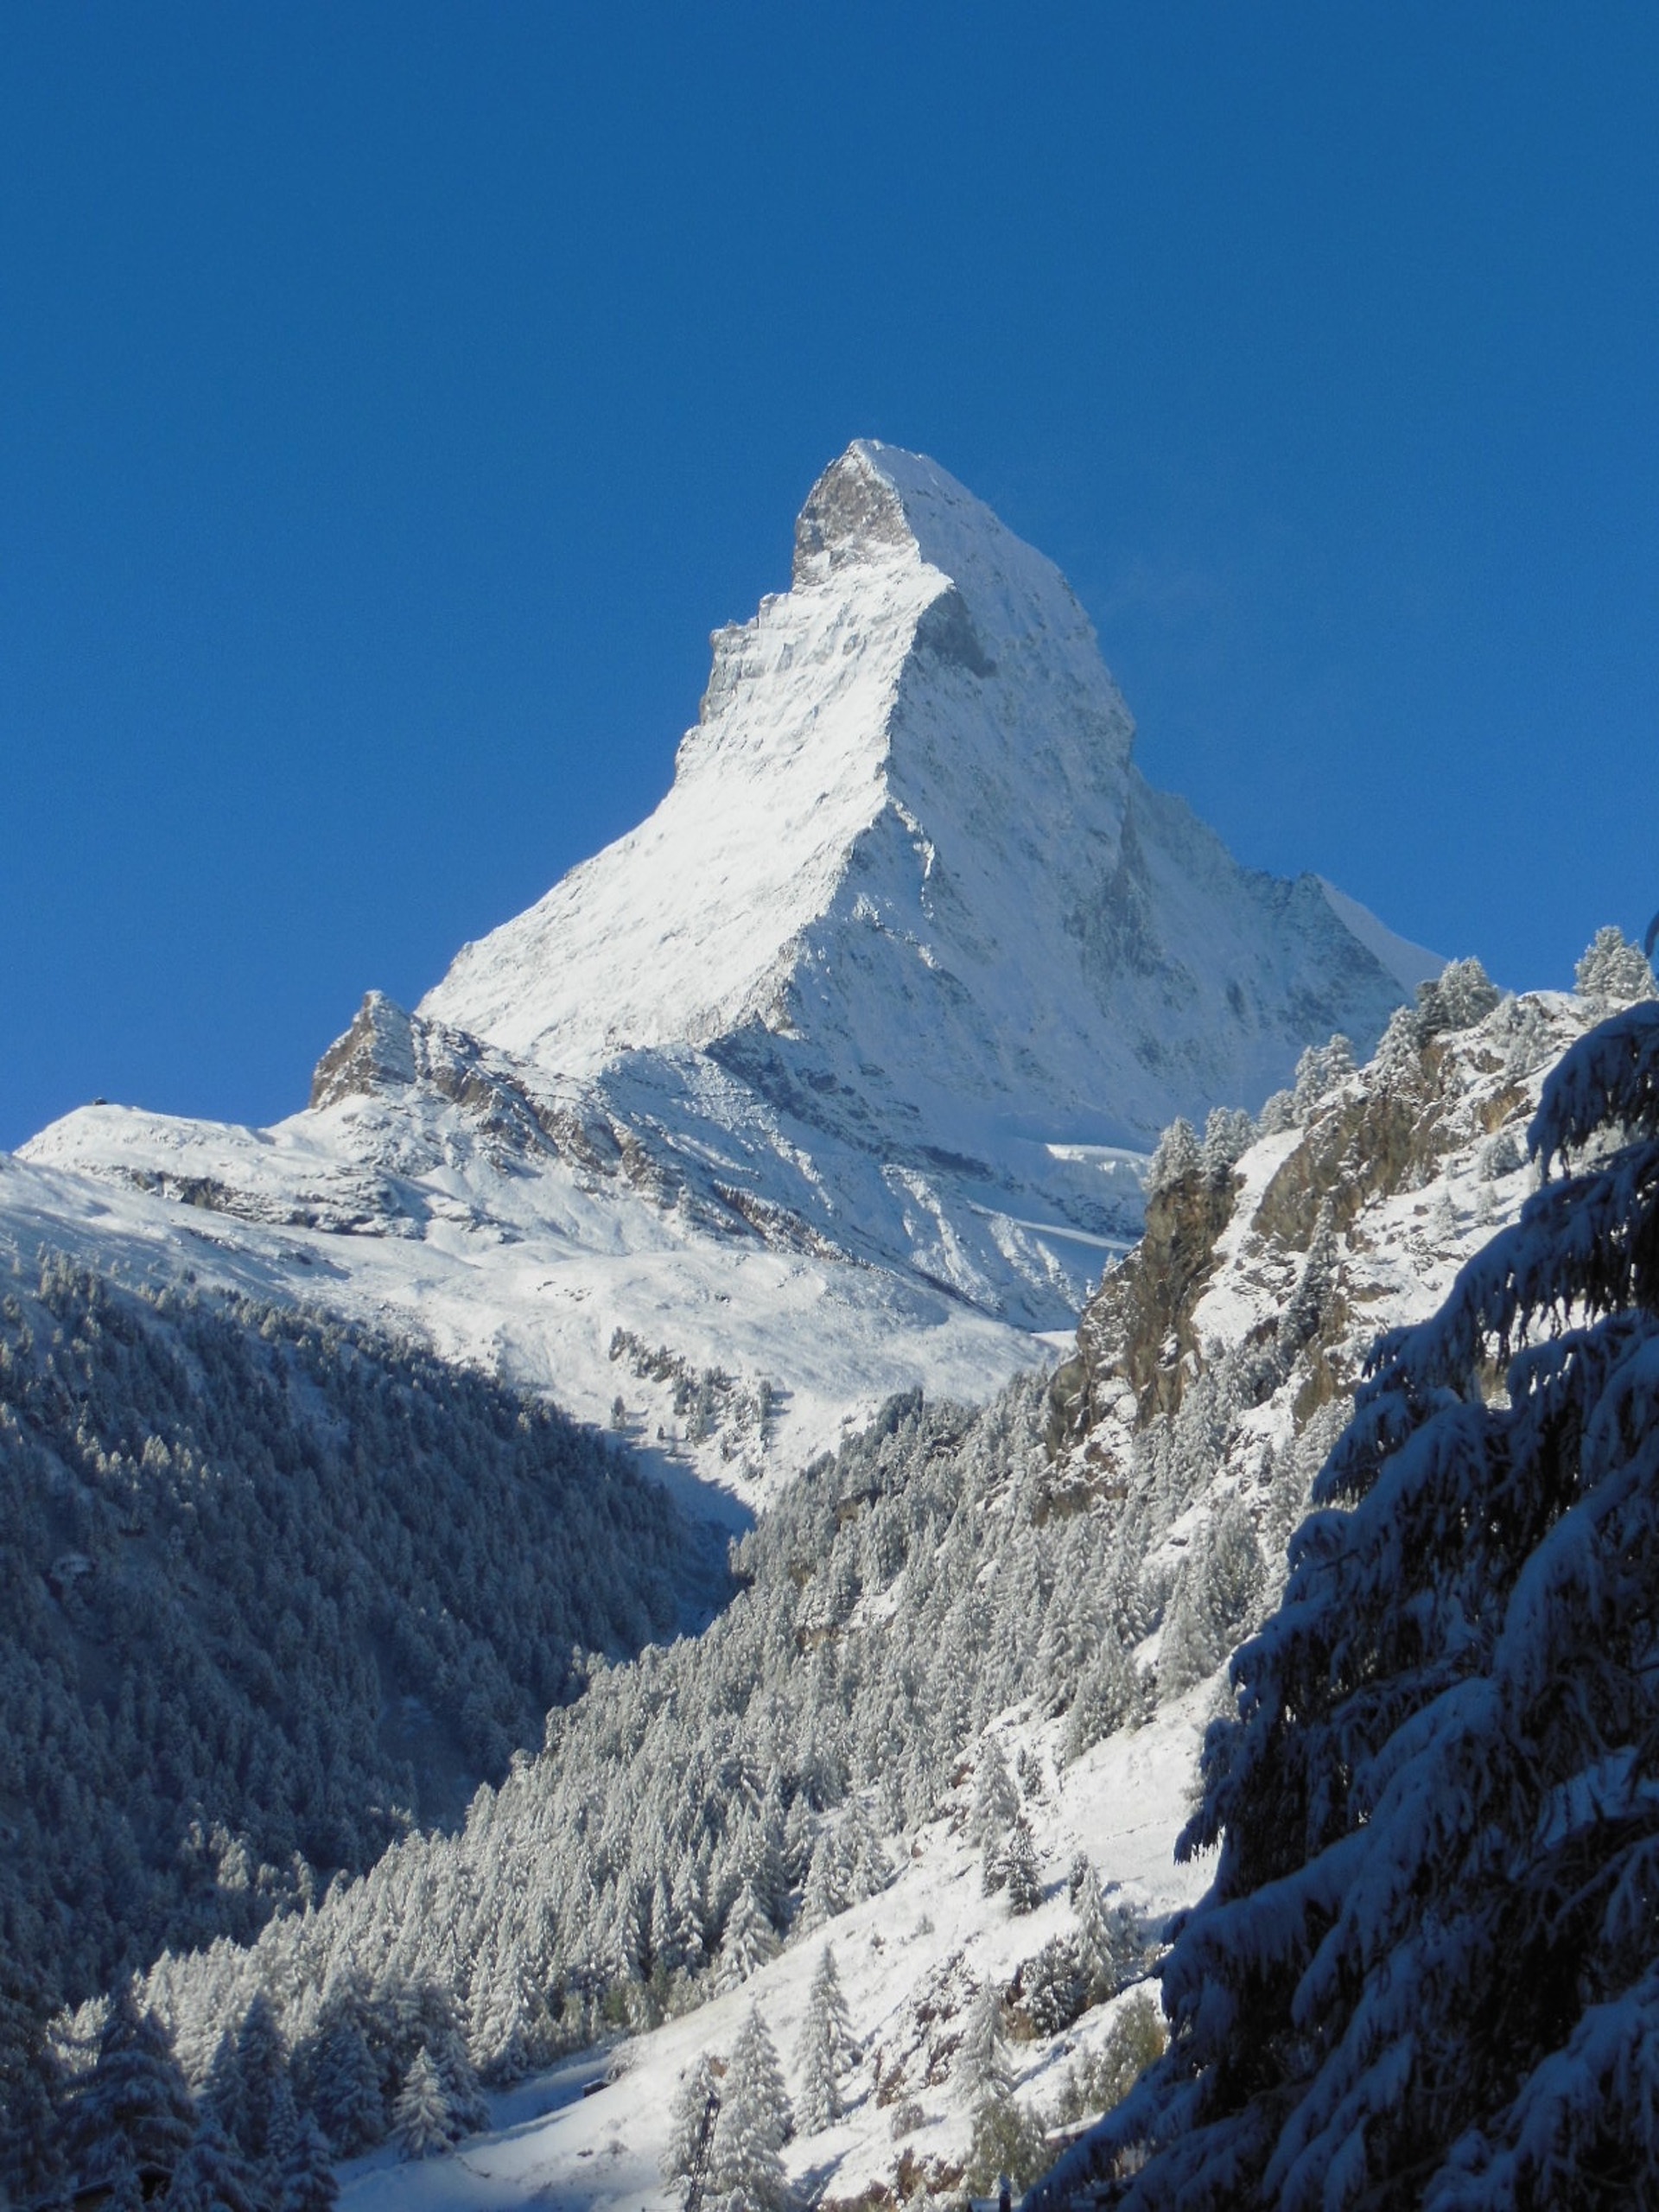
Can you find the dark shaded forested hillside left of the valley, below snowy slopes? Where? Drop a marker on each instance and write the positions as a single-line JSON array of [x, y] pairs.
[[275, 1592]]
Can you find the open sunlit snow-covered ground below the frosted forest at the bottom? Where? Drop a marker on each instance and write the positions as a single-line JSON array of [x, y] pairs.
[[930, 1934]]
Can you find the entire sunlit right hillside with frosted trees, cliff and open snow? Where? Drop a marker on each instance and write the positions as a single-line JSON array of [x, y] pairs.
[[1043, 1592]]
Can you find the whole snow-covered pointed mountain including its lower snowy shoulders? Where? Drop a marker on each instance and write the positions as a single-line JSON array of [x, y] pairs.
[[835, 1076]]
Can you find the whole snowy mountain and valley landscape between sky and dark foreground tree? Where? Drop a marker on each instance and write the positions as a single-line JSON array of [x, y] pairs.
[[917, 1154]]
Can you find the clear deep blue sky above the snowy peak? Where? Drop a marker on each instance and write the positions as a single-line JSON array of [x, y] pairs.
[[395, 397]]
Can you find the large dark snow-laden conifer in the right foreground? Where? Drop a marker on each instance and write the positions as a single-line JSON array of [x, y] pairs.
[[1428, 1972]]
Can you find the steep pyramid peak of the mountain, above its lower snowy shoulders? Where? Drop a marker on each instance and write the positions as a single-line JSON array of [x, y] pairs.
[[908, 881]]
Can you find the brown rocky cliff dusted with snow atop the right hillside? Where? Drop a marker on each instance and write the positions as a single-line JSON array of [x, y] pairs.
[[1215, 1359]]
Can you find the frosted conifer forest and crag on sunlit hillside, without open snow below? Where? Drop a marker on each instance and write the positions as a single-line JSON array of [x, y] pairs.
[[1076, 1556]]
